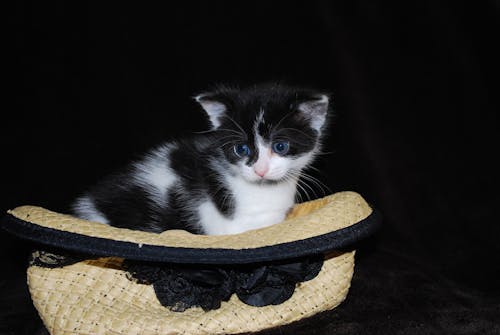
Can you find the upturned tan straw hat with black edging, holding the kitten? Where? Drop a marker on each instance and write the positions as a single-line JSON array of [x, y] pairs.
[[99, 279]]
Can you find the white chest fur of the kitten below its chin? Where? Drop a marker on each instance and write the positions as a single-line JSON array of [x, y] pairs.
[[256, 206]]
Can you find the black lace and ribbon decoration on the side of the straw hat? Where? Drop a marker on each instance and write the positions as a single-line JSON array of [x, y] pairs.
[[180, 287]]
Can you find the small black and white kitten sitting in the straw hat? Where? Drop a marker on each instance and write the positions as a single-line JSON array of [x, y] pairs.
[[240, 175]]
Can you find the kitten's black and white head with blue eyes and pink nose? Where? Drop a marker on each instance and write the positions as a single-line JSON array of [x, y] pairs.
[[268, 133]]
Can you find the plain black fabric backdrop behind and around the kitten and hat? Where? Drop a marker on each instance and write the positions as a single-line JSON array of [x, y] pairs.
[[415, 130]]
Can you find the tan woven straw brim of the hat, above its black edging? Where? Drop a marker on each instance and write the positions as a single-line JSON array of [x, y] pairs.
[[306, 220]]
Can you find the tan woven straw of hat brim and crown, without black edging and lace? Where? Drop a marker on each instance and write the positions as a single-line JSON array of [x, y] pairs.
[[96, 297]]
